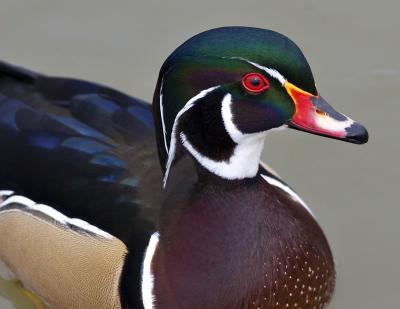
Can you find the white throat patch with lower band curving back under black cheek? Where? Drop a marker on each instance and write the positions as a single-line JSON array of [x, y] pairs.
[[242, 162]]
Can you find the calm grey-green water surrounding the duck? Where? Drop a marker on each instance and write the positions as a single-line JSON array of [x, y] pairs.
[[353, 48]]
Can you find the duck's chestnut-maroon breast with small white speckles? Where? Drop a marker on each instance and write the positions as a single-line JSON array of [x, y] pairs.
[[242, 244]]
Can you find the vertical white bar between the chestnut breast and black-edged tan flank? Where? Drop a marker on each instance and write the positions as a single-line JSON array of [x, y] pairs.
[[147, 274]]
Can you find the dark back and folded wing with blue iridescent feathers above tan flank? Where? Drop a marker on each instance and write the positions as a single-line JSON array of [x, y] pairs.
[[81, 147]]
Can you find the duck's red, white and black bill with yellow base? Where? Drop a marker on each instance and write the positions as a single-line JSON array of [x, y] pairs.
[[314, 115]]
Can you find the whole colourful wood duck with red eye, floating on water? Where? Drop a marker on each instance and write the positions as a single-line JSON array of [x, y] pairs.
[[89, 220]]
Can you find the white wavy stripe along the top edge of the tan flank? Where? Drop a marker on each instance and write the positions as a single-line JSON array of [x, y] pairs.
[[54, 214]]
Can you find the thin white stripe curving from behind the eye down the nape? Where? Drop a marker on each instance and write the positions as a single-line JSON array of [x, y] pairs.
[[172, 144]]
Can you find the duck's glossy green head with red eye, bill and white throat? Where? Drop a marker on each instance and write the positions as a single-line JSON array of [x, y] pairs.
[[220, 92]]
